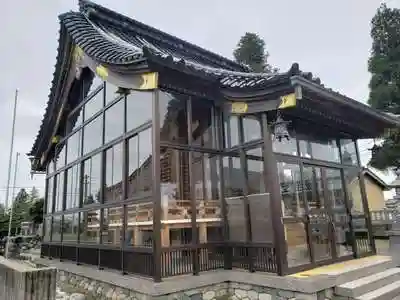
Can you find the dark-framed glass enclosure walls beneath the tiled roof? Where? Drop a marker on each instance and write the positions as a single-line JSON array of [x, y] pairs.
[[166, 184]]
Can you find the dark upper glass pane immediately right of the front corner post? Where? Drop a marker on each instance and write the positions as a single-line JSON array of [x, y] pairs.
[[173, 118]]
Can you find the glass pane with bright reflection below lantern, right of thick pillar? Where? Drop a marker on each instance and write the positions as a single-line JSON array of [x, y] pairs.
[[291, 191]]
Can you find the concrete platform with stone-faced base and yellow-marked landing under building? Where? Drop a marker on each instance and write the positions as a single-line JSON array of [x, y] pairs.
[[316, 284]]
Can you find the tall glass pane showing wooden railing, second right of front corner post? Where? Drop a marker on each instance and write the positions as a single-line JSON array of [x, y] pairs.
[[207, 183]]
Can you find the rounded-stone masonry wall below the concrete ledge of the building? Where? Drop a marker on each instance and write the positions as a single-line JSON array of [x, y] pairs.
[[220, 291]]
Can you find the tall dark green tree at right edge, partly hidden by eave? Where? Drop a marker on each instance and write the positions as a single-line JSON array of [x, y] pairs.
[[384, 65]]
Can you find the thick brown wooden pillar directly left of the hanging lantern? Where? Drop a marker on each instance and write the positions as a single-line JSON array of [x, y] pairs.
[[273, 187]]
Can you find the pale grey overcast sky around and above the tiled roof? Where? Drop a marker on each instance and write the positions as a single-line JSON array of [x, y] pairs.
[[329, 38]]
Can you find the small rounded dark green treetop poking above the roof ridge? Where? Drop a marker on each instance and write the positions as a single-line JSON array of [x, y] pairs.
[[251, 51]]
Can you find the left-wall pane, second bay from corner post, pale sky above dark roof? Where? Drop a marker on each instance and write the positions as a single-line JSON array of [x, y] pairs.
[[113, 184]]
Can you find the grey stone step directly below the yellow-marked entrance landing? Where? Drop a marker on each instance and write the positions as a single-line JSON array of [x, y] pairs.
[[368, 284]]
